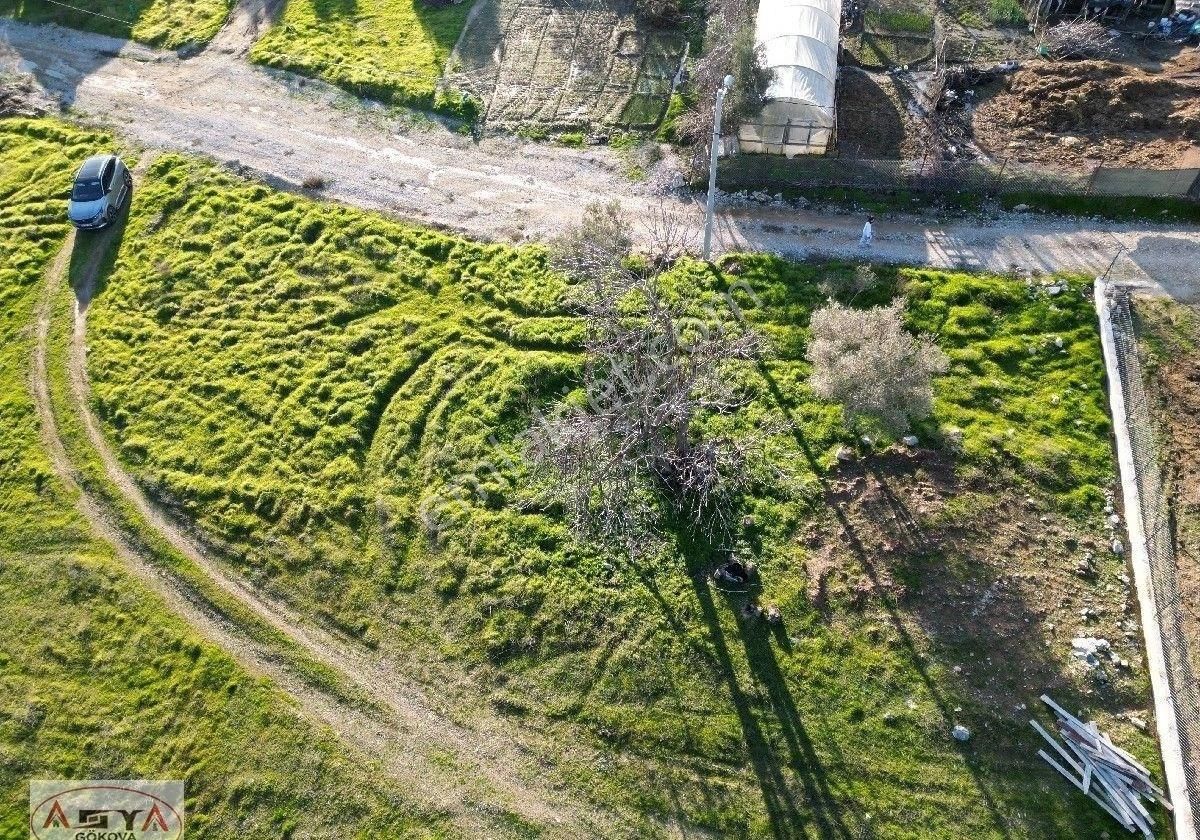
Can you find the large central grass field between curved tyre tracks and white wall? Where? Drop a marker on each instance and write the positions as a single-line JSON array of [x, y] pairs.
[[338, 401]]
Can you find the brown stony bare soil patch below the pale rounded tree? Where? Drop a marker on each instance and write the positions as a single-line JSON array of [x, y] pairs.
[[995, 581]]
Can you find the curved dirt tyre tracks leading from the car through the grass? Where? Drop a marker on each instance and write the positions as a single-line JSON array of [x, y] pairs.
[[489, 770]]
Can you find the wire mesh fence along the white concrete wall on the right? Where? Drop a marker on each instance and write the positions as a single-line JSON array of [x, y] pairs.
[[1157, 520]]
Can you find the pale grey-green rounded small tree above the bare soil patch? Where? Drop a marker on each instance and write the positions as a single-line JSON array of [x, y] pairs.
[[867, 361]]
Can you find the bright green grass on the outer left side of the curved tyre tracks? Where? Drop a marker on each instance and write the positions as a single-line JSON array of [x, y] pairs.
[[97, 679]]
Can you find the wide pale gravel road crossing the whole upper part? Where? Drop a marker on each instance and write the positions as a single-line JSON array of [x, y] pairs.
[[507, 189]]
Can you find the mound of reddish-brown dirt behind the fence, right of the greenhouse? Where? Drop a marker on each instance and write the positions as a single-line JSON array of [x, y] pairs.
[[1060, 112]]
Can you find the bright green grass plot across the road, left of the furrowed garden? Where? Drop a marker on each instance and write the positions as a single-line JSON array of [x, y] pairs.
[[393, 51]]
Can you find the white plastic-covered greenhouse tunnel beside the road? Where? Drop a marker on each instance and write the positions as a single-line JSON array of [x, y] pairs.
[[800, 46]]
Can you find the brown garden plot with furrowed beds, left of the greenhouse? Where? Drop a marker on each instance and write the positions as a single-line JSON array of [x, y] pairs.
[[567, 64]]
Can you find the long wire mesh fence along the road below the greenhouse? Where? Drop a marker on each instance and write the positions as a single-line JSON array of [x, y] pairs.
[[937, 176]]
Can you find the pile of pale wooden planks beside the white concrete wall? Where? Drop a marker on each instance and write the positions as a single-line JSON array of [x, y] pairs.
[[1105, 772]]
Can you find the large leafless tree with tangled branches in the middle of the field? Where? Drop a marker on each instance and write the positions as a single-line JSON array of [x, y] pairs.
[[651, 371]]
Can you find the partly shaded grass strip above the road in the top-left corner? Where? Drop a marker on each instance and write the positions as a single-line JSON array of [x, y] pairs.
[[159, 23]]
